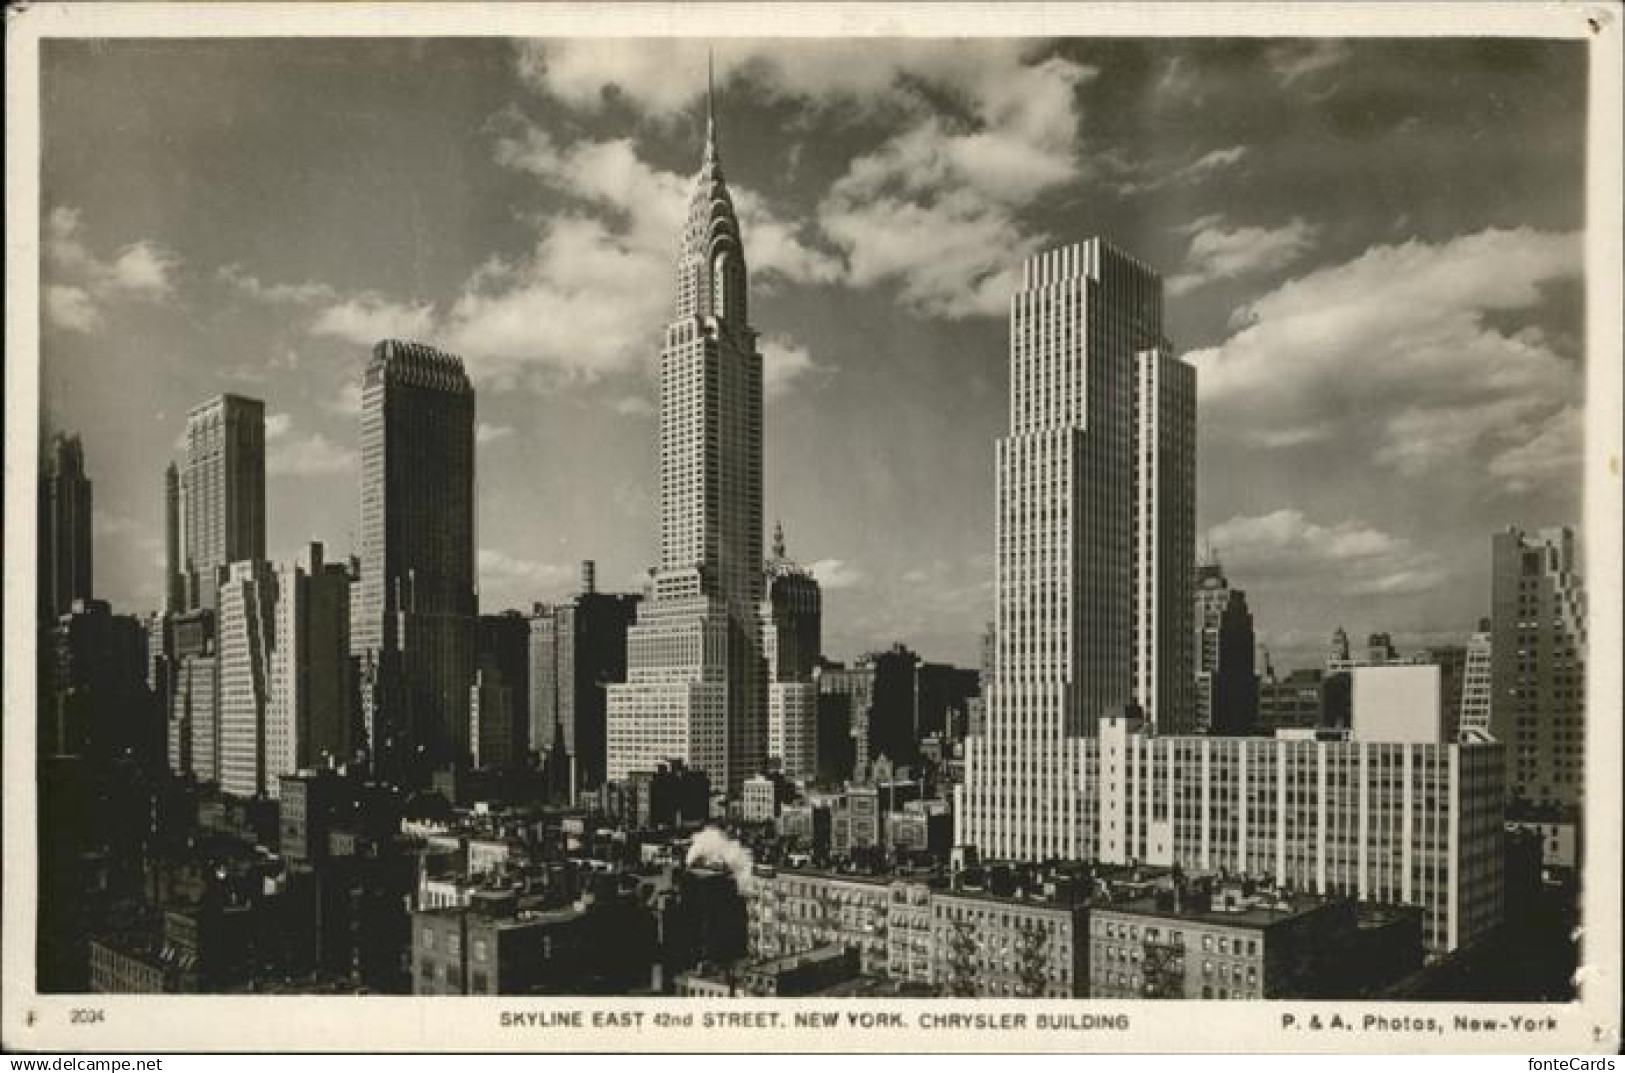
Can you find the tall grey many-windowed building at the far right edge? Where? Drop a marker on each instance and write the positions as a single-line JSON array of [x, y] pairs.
[[1538, 658]]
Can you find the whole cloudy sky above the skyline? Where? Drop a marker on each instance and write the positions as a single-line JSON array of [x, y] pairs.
[[1372, 254]]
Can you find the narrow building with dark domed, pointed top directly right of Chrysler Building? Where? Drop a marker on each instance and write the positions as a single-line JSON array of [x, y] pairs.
[[792, 638]]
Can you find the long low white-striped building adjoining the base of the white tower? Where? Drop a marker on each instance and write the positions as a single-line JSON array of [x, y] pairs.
[[1416, 823]]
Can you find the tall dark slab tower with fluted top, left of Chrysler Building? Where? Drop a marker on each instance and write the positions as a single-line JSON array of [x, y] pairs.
[[414, 622]]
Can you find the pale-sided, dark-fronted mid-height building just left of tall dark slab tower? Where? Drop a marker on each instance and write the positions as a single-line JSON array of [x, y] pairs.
[[310, 716]]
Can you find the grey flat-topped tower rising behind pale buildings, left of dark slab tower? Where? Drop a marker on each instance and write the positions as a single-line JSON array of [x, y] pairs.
[[222, 493]]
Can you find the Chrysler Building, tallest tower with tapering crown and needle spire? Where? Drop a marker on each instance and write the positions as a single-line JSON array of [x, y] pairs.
[[696, 682]]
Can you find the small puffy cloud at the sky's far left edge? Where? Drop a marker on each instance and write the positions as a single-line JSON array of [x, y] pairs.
[[79, 284]]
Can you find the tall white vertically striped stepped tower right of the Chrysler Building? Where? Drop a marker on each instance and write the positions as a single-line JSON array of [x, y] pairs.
[[1096, 545]]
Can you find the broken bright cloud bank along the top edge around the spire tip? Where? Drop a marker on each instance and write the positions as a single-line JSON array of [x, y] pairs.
[[934, 211]]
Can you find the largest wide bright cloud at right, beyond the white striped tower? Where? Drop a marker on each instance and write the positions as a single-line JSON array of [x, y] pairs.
[[1398, 357]]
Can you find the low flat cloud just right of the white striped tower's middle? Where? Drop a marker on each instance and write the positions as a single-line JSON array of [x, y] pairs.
[[1286, 550]]
